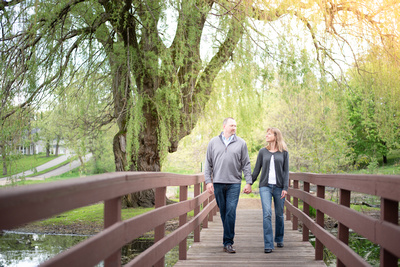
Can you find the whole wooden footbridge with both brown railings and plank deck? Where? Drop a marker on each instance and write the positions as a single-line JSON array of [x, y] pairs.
[[25, 204]]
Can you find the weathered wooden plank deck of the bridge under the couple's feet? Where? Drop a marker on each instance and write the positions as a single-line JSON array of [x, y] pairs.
[[249, 245]]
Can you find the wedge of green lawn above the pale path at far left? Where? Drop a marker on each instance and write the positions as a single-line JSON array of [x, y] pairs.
[[23, 163]]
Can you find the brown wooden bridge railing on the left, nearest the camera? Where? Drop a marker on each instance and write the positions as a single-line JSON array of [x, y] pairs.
[[24, 204]]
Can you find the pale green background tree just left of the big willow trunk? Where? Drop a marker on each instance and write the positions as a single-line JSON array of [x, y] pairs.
[[82, 114]]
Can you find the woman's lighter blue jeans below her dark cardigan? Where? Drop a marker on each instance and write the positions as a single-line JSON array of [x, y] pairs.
[[267, 193]]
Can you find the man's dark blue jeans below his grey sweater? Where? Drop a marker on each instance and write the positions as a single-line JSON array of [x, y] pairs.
[[227, 197]]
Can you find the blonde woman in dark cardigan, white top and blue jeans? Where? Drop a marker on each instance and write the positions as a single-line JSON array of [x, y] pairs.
[[274, 180]]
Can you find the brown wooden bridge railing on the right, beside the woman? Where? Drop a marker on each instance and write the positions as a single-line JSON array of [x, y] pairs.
[[384, 231]]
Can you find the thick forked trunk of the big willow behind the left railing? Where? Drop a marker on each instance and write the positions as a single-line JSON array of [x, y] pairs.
[[161, 105]]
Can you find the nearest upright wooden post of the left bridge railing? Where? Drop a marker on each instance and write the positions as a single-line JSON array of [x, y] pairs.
[[112, 214]]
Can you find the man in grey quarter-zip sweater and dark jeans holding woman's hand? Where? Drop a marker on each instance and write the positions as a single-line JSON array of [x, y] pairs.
[[227, 157]]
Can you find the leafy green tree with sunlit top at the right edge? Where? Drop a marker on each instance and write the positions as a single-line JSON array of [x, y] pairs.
[[374, 106]]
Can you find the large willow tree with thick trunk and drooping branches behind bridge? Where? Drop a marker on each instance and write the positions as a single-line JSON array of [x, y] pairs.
[[151, 52]]
